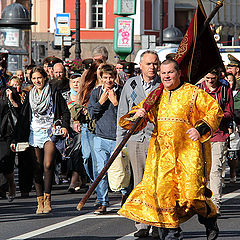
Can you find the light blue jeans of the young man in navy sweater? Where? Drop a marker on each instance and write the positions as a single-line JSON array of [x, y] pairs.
[[103, 149]]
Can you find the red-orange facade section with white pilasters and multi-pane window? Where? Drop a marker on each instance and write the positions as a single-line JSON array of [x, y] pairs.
[[97, 22]]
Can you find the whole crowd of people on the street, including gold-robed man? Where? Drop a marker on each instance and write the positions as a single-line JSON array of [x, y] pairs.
[[64, 126]]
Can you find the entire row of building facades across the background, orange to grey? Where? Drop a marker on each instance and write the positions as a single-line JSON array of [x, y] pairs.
[[97, 22]]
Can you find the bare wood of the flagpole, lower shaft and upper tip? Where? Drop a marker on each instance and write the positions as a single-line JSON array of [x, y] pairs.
[[130, 132]]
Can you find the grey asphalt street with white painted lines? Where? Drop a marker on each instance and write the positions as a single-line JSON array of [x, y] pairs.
[[19, 221]]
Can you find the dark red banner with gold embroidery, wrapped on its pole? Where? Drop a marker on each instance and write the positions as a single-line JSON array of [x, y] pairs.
[[197, 54]]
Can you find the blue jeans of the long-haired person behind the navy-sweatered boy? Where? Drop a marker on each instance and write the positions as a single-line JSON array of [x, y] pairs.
[[88, 151]]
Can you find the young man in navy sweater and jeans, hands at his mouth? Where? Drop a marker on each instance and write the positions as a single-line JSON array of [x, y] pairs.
[[102, 107]]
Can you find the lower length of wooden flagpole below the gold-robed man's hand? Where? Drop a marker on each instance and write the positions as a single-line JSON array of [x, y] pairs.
[[108, 164]]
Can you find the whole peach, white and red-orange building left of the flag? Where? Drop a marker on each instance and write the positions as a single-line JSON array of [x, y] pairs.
[[96, 23]]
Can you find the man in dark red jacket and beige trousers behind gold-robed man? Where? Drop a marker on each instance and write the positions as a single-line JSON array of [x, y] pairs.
[[223, 95]]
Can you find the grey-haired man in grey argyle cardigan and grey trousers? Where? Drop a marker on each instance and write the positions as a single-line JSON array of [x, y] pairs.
[[135, 90]]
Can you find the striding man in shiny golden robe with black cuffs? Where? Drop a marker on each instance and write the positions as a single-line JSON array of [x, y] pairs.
[[178, 164]]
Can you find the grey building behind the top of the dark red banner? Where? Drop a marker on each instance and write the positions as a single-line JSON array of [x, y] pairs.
[[226, 21]]
